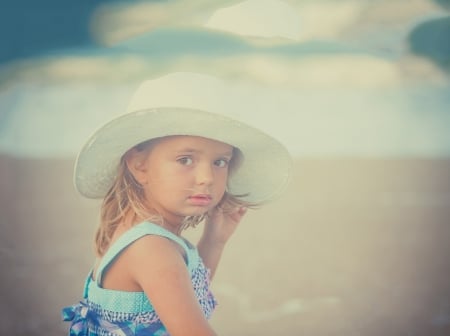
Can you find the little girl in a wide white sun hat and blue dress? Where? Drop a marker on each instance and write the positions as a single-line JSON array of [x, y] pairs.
[[159, 171]]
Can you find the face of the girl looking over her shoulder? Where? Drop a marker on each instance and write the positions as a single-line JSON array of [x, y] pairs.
[[183, 175]]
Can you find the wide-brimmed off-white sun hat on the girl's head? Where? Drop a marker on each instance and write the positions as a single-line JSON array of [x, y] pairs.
[[264, 168]]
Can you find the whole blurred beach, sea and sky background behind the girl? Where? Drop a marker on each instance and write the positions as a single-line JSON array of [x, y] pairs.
[[359, 92]]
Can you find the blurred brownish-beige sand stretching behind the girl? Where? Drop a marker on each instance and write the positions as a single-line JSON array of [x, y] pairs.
[[355, 247]]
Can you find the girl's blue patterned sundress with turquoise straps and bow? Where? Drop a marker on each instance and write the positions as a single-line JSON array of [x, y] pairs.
[[106, 312]]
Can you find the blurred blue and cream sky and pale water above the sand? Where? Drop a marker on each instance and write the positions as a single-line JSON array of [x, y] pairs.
[[355, 78]]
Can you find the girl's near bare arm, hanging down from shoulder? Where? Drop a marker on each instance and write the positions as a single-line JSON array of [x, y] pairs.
[[157, 266]]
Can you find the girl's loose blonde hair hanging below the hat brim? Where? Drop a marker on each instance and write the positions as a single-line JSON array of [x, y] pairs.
[[126, 196]]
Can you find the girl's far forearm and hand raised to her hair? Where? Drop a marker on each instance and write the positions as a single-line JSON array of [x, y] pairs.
[[219, 227]]
